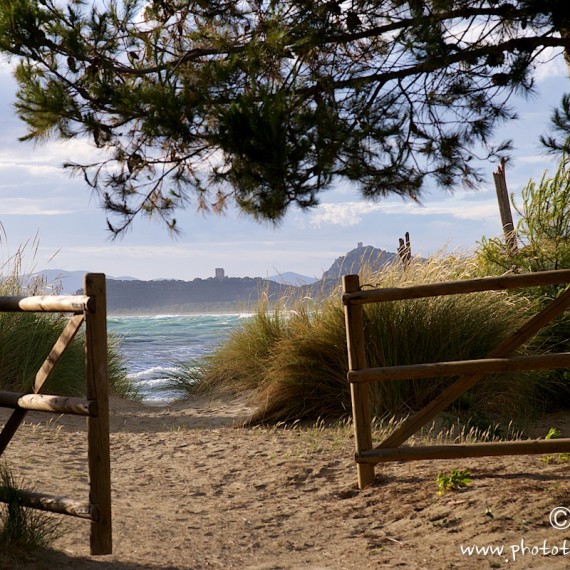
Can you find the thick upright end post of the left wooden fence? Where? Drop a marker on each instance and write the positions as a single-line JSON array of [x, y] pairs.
[[98, 426]]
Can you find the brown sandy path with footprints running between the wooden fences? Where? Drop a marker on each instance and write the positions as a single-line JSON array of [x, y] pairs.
[[191, 491]]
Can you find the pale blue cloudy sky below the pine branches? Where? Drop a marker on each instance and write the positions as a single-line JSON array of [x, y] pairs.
[[58, 222]]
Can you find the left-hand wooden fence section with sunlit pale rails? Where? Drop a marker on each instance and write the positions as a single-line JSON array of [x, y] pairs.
[[90, 309]]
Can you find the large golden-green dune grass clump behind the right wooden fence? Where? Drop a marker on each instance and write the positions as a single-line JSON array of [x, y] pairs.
[[293, 360]]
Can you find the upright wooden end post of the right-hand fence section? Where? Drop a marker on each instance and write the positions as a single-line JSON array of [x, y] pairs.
[[359, 393]]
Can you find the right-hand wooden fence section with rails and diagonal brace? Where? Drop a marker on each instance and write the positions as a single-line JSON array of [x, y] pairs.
[[469, 371]]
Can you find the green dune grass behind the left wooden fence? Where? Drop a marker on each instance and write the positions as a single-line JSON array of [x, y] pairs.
[[27, 338]]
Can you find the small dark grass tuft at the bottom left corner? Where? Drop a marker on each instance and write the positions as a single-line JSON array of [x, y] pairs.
[[22, 528]]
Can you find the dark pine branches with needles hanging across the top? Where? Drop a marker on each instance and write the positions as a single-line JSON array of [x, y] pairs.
[[269, 103]]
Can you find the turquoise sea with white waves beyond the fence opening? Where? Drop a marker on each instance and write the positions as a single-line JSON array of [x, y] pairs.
[[154, 346]]
